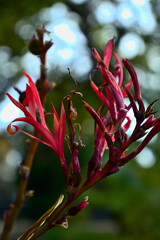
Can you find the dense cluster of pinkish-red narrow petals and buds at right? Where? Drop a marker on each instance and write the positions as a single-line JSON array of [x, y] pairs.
[[111, 124]]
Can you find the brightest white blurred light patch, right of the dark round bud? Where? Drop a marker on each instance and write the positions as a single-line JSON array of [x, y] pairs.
[[63, 31]]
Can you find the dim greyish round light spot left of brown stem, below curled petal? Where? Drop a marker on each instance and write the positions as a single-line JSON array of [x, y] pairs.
[[13, 158]]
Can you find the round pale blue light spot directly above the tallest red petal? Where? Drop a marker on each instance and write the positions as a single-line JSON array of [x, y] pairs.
[[105, 13]]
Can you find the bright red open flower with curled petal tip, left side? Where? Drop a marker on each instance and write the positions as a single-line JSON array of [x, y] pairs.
[[28, 107]]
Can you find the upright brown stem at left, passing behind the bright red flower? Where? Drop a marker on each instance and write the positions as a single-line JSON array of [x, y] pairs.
[[20, 197]]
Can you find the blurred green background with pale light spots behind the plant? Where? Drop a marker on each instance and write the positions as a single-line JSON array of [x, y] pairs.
[[126, 206]]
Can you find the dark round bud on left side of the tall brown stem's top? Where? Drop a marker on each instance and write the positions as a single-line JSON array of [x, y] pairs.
[[34, 46]]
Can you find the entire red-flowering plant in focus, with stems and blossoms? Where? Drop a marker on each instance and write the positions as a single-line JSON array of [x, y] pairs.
[[112, 121]]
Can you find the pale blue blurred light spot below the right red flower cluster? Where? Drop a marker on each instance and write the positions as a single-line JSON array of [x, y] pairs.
[[146, 158]]
